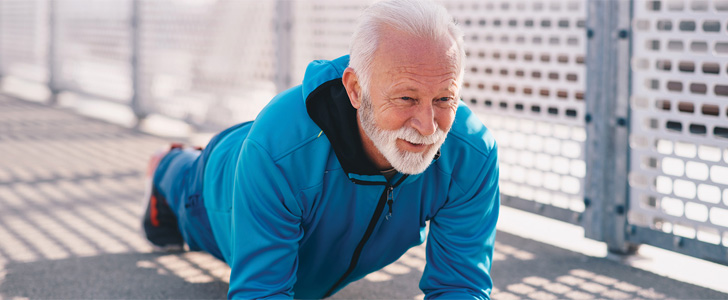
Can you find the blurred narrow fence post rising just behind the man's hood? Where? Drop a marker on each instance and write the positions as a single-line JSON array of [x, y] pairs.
[[283, 22]]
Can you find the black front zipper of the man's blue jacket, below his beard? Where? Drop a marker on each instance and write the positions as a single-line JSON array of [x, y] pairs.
[[387, 197]]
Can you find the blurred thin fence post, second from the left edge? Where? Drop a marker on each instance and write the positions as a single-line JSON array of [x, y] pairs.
[[136, 101]]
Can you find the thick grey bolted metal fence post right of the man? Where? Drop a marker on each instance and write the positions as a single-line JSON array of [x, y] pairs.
[[607, 123]]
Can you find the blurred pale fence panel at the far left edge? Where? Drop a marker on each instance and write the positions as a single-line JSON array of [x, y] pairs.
[[24, 39]]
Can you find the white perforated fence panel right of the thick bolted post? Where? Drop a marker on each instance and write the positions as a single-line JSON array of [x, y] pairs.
[[679, 139]]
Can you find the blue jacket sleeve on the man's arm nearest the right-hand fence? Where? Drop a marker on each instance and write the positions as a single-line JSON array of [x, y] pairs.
[[461, 238]]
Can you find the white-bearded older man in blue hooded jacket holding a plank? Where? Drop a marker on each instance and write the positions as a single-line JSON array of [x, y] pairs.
[[337, 177]]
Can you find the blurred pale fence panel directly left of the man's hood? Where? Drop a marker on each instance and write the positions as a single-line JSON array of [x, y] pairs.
[[207, 62]]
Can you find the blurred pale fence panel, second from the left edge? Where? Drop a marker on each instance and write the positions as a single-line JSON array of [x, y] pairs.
[[93, 47]]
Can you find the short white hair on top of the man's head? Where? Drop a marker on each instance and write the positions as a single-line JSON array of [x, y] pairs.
[[419, 18]]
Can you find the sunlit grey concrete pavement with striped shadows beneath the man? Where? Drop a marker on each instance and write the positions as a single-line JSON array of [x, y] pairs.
[[69, 210]]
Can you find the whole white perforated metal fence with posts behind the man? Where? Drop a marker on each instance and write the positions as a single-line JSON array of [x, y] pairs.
[[612, 115]]
